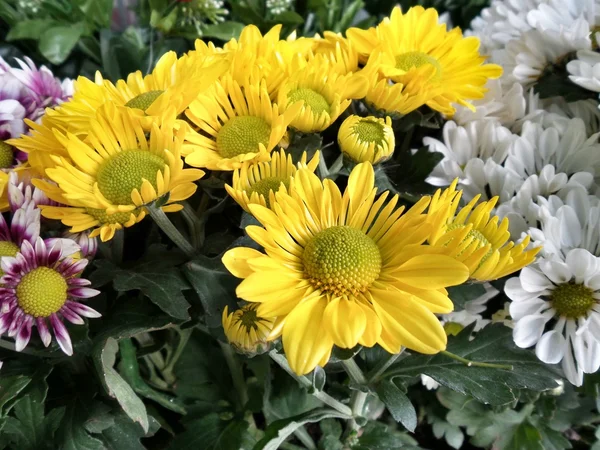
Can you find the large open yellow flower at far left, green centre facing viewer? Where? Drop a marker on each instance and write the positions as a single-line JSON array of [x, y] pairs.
[[112, 175]]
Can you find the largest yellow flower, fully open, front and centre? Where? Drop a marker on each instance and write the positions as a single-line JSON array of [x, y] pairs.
[[344, 269]]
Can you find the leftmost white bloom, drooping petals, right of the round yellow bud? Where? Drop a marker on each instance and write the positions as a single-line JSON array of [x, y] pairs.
[[480, 139]]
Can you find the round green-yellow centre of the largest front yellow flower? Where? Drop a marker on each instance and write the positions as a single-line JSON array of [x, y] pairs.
[[342, 260]]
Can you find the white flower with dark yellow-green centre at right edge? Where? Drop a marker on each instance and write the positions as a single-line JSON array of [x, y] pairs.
[[555, 307]]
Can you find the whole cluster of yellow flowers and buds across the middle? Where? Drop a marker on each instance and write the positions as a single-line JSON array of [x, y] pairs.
[[337, 268]]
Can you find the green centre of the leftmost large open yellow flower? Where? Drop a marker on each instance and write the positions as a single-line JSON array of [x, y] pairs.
[[119, 175]]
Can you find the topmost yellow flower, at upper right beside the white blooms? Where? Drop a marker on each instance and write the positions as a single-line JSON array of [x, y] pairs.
[[414, 48]]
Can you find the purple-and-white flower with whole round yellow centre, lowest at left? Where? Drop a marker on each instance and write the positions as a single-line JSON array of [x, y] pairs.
[[40, 285]]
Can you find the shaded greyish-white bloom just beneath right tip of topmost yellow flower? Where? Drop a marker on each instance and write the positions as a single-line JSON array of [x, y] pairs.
[[499, 104]]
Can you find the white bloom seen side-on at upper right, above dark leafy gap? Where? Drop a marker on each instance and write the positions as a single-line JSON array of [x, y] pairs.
[[525, 58]]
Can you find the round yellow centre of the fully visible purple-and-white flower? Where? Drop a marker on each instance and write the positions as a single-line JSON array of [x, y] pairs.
[[42, 292]]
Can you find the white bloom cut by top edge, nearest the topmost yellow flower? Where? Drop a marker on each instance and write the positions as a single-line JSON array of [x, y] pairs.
[[502, 21]]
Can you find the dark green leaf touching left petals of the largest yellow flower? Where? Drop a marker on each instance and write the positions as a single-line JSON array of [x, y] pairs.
[[214, 285]]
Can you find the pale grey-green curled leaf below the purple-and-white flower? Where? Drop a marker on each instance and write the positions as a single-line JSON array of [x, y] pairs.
[[116, 386]]
